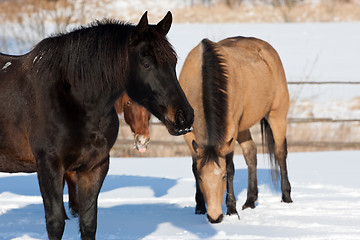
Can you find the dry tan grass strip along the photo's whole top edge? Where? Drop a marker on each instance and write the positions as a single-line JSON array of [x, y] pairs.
[[300, 11]]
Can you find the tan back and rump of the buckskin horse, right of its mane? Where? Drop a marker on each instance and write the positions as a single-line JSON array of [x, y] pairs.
[[257, 68]]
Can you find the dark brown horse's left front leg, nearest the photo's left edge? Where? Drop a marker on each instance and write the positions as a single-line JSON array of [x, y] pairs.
[[50, 178]]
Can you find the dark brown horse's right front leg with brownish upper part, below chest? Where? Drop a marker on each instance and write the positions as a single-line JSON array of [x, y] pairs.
[[89, 185]]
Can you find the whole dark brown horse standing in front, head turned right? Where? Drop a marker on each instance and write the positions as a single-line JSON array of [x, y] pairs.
[[57, 107]]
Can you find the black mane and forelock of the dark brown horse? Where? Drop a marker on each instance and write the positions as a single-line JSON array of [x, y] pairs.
[[98, 51]]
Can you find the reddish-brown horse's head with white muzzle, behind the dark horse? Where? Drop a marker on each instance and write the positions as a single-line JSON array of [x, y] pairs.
[[137, 117]]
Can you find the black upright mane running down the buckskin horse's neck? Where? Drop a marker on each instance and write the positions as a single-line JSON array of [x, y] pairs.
[[215, 101]]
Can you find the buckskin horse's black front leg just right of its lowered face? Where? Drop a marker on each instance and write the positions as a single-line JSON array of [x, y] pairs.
[[230, 197]]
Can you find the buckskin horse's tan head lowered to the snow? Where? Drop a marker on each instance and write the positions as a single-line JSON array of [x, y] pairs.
[[212, 177]]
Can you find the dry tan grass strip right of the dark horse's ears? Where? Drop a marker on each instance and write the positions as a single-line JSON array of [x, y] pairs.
[[324, 11]]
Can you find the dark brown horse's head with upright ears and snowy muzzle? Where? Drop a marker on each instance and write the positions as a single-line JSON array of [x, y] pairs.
[[152, 81]]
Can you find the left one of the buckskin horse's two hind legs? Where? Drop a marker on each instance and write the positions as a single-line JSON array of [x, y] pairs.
[[249, 151]]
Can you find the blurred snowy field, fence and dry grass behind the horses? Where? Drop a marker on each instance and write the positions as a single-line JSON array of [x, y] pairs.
[[316, 39]]
